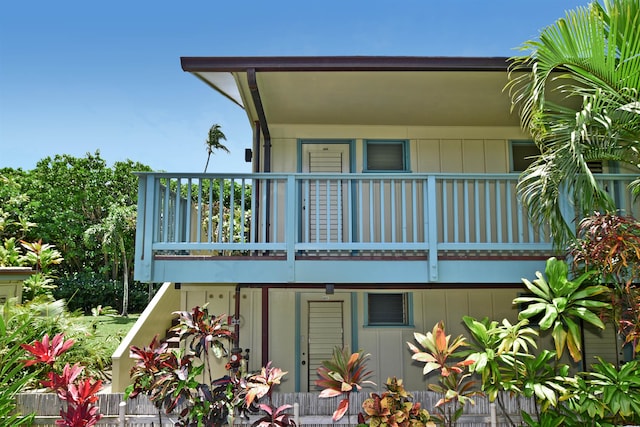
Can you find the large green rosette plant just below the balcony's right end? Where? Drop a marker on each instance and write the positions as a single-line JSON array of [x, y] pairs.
[[563, 303]]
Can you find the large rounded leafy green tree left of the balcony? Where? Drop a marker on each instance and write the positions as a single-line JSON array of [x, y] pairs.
[[68, 195]]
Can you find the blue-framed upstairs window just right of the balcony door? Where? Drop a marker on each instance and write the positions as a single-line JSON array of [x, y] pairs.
[[383, 156]]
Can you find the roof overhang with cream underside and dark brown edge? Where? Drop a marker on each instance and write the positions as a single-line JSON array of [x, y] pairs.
[[363, 90]]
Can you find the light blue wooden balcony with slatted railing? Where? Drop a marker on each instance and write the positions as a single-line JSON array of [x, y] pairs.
[[349, 228]]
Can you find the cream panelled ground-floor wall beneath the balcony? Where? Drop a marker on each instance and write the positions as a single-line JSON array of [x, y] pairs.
[[386, 345]]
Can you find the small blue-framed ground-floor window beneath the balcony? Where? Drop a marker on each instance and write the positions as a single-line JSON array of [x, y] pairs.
[[388, 309]]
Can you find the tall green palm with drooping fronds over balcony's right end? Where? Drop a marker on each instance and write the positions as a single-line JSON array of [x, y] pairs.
[[590, 62]]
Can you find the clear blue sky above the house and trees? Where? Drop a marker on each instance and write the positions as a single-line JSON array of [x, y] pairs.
[[80, 76]]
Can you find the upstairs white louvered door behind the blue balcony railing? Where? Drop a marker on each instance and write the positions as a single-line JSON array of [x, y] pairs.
[[324, 199]]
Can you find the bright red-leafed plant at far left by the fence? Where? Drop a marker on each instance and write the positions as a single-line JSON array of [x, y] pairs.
[[79, 392]]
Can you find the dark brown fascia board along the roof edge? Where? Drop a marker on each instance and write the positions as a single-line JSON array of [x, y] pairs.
[[343, 63]]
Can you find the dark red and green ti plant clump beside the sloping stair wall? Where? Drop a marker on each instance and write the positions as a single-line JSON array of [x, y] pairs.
[[175, 379]]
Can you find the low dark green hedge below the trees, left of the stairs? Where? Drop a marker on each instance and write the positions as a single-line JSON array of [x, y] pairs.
[[86, 290]]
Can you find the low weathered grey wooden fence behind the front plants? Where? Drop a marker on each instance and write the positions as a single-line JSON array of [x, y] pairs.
[[309, 409]]
